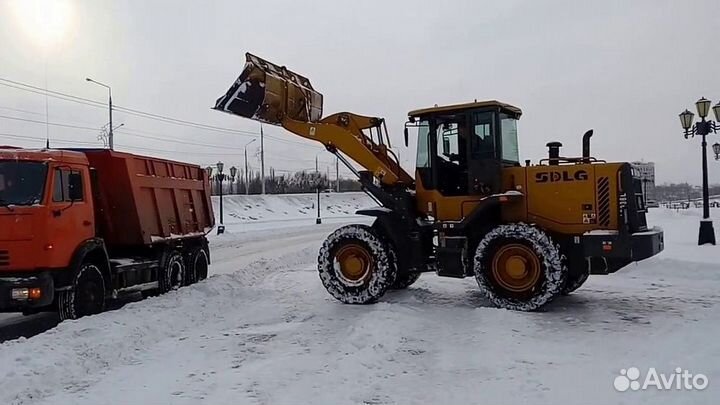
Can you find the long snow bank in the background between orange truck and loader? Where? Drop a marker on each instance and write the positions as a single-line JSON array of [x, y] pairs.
[[281, 207]]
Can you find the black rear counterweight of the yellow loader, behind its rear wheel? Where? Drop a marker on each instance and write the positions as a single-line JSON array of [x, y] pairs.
[[609, 251]]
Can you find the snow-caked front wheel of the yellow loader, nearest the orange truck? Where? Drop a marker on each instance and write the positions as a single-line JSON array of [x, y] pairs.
[[354, 265]]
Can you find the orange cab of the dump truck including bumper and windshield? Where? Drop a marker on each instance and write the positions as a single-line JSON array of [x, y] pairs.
[[46, 211]]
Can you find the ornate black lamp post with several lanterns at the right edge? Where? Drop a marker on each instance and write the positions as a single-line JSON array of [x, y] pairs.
[[703, 128]]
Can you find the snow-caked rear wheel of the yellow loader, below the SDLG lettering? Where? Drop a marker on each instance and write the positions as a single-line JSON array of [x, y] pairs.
[[519, 267]]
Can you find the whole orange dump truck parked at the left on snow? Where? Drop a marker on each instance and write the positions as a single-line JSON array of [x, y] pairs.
[[80, 226]]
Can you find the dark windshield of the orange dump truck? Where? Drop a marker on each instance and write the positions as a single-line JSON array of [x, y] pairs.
[[21, 183]]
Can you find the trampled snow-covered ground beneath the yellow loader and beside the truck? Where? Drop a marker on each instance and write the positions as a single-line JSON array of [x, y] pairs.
[[265, 331]]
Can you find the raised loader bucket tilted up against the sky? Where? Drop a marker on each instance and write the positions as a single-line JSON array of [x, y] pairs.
[[268, 93]]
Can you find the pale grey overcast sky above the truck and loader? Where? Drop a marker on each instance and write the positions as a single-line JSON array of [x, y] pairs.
[[624, 68]]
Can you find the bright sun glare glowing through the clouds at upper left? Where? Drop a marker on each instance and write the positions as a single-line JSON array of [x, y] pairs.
[[45, 22]]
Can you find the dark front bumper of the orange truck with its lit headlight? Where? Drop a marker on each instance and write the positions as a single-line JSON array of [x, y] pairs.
[[19, 292]]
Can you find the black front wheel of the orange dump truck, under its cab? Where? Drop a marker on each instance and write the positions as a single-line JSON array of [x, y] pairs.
[[86, 296]]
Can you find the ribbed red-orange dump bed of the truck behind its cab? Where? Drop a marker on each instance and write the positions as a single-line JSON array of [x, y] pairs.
[[141, 200]]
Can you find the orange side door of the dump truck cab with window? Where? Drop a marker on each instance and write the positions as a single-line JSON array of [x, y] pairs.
[[71, 213]]
